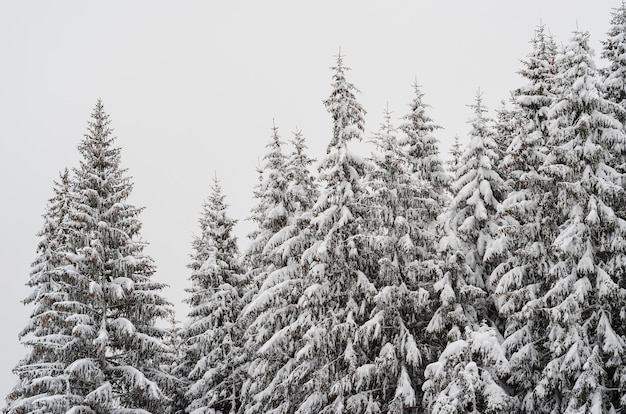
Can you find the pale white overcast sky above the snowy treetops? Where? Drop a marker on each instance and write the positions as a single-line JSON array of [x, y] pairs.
[[192, 88]]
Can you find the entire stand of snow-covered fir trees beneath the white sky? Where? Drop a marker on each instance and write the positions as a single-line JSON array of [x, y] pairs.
[[389, 283]]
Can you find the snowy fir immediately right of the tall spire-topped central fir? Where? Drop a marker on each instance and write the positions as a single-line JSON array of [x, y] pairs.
[[387, 379]]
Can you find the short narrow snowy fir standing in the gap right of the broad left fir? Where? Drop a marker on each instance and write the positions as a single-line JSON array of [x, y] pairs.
[[211, 334]]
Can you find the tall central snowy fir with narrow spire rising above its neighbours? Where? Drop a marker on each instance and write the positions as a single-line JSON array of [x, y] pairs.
[[331, 307]]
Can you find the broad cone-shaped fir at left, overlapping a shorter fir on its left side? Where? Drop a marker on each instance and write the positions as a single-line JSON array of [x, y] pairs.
[[109, 349]]
